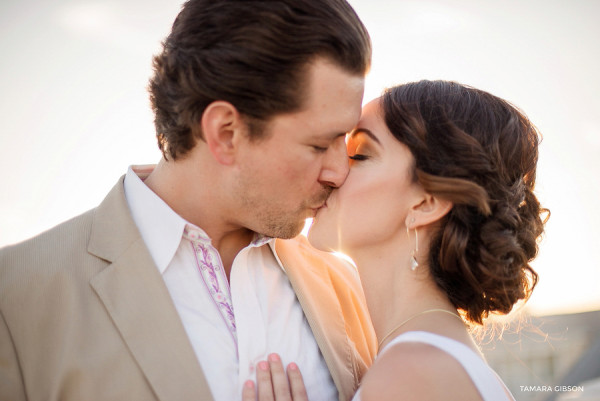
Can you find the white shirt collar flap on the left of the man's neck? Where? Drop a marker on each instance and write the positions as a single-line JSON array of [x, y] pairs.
[[160, 227]]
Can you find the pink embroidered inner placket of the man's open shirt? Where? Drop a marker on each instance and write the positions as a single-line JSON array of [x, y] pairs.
[[213, 275]]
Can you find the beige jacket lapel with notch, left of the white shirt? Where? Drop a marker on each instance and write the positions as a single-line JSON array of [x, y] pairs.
[[140, 306]]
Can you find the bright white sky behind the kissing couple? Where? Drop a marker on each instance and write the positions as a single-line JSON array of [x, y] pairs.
[[75, 112]]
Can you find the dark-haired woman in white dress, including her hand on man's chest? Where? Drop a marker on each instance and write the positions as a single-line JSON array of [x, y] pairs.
[[439, 215]]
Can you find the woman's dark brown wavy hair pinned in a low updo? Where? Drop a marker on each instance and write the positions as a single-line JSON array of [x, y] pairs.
[[479, 152]]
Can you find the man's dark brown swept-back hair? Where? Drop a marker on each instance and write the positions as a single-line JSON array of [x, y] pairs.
[[253, 54]]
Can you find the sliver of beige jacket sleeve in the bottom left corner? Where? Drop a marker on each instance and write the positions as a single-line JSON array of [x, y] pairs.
[[11, 380]]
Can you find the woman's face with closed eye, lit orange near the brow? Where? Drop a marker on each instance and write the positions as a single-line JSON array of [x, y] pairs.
[[371, 207]]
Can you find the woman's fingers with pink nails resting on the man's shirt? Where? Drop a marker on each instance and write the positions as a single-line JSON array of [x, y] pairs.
[[274, 384]]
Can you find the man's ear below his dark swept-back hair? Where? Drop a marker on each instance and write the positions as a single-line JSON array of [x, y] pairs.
[[221, 123]]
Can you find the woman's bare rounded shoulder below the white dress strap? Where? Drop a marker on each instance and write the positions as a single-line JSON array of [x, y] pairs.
[[418, 371]]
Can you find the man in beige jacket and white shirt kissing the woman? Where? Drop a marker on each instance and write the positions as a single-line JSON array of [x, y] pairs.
[[174, 288]]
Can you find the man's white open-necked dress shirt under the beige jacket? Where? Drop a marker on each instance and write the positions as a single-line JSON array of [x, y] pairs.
[[267, 316]]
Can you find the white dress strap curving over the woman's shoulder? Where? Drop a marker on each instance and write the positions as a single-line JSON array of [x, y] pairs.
[[489, 385]]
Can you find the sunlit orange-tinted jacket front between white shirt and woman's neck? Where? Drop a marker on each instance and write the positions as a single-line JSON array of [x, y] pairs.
[[321, 298]]
